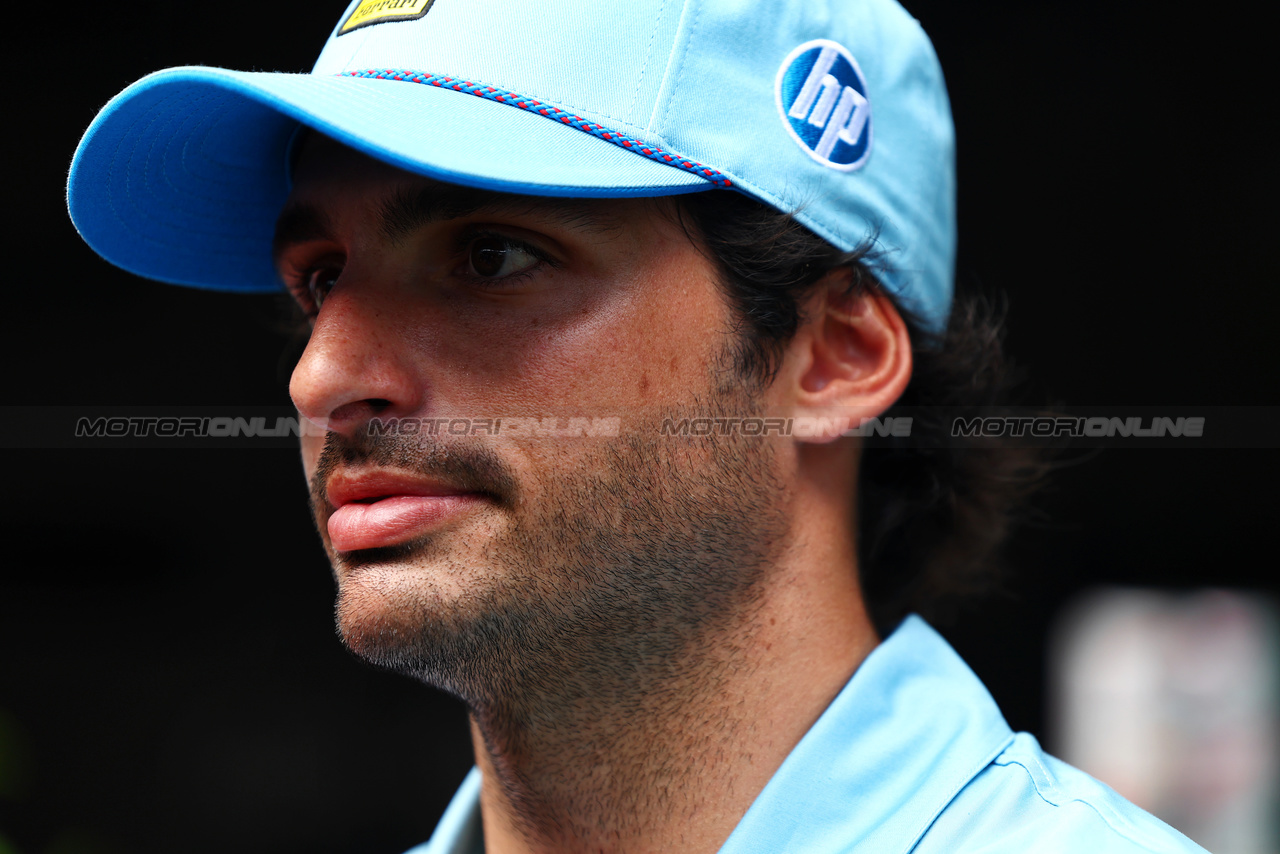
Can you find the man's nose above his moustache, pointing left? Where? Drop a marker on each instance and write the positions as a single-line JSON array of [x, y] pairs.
[[359, 364]]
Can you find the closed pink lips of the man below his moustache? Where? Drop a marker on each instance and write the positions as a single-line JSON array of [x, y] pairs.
[[380, 509]]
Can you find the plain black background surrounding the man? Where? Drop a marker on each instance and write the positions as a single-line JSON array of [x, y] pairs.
[[170, 678]]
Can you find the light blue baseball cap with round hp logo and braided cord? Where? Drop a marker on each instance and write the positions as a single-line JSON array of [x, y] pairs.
[[835, 111]]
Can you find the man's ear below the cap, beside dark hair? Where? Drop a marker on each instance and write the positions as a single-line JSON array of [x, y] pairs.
[[854, 358]]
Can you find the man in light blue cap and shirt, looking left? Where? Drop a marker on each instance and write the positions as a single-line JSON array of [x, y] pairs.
[[717, 240]]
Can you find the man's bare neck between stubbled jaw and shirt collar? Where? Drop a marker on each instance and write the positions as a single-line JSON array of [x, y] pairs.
[[670, 756]]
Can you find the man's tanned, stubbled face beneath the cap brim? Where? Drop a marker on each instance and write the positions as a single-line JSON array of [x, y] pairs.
[[483, 559]]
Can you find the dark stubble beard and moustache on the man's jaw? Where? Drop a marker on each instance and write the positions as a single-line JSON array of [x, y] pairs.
[[638, 574]]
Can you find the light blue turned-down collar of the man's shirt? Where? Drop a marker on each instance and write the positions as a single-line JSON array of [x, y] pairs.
[[912, 728]]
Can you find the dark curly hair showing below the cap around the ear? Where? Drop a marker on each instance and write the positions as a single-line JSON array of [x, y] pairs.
[[934, 510]]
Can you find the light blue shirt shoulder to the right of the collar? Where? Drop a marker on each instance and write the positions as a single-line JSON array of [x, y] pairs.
[[1028, 801]]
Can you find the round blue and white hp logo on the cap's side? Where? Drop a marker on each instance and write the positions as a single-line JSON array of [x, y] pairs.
[[822, 98]]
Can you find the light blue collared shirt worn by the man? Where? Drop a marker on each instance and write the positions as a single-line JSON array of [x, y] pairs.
[[912, 756]]
